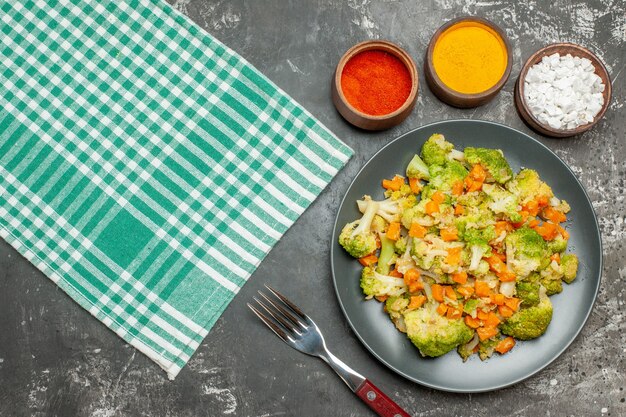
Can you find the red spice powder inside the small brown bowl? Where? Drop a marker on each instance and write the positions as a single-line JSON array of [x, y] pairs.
[[376, 82]]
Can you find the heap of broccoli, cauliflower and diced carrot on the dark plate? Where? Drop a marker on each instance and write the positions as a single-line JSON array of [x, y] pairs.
[[463, 252]]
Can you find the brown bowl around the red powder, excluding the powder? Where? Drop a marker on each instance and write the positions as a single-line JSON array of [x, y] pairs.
[[364, 120]]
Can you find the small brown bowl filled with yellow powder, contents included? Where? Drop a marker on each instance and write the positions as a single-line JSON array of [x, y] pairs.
[[468, 61]]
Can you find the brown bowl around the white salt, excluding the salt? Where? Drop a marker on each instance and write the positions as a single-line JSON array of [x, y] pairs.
[[562, 49]]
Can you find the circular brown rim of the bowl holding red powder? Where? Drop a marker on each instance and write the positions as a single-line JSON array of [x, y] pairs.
[[362, 47]]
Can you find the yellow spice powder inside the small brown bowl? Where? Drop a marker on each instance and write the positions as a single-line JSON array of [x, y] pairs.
[[470, 57]]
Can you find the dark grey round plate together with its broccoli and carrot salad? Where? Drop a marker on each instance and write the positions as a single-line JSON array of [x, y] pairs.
[[466, 256]]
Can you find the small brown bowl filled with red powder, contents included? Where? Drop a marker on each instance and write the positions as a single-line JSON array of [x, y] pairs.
[[375, 85]]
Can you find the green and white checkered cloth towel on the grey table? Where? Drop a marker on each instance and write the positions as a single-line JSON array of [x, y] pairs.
[[145, 167]]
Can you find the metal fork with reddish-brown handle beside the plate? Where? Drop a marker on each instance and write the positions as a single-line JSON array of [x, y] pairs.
[[297, 329]]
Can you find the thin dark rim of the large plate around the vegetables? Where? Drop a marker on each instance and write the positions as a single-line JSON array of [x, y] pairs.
[[440, 387]]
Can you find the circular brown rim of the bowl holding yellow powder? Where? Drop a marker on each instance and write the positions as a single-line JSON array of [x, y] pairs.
[[509, 59]]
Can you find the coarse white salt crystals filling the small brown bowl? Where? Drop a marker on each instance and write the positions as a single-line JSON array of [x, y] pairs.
[[564, 92]]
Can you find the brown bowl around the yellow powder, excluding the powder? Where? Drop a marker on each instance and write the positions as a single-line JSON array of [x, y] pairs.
[[453, 97]]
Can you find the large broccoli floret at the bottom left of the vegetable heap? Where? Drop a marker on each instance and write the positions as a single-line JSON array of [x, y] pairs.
[[433, 334]]
